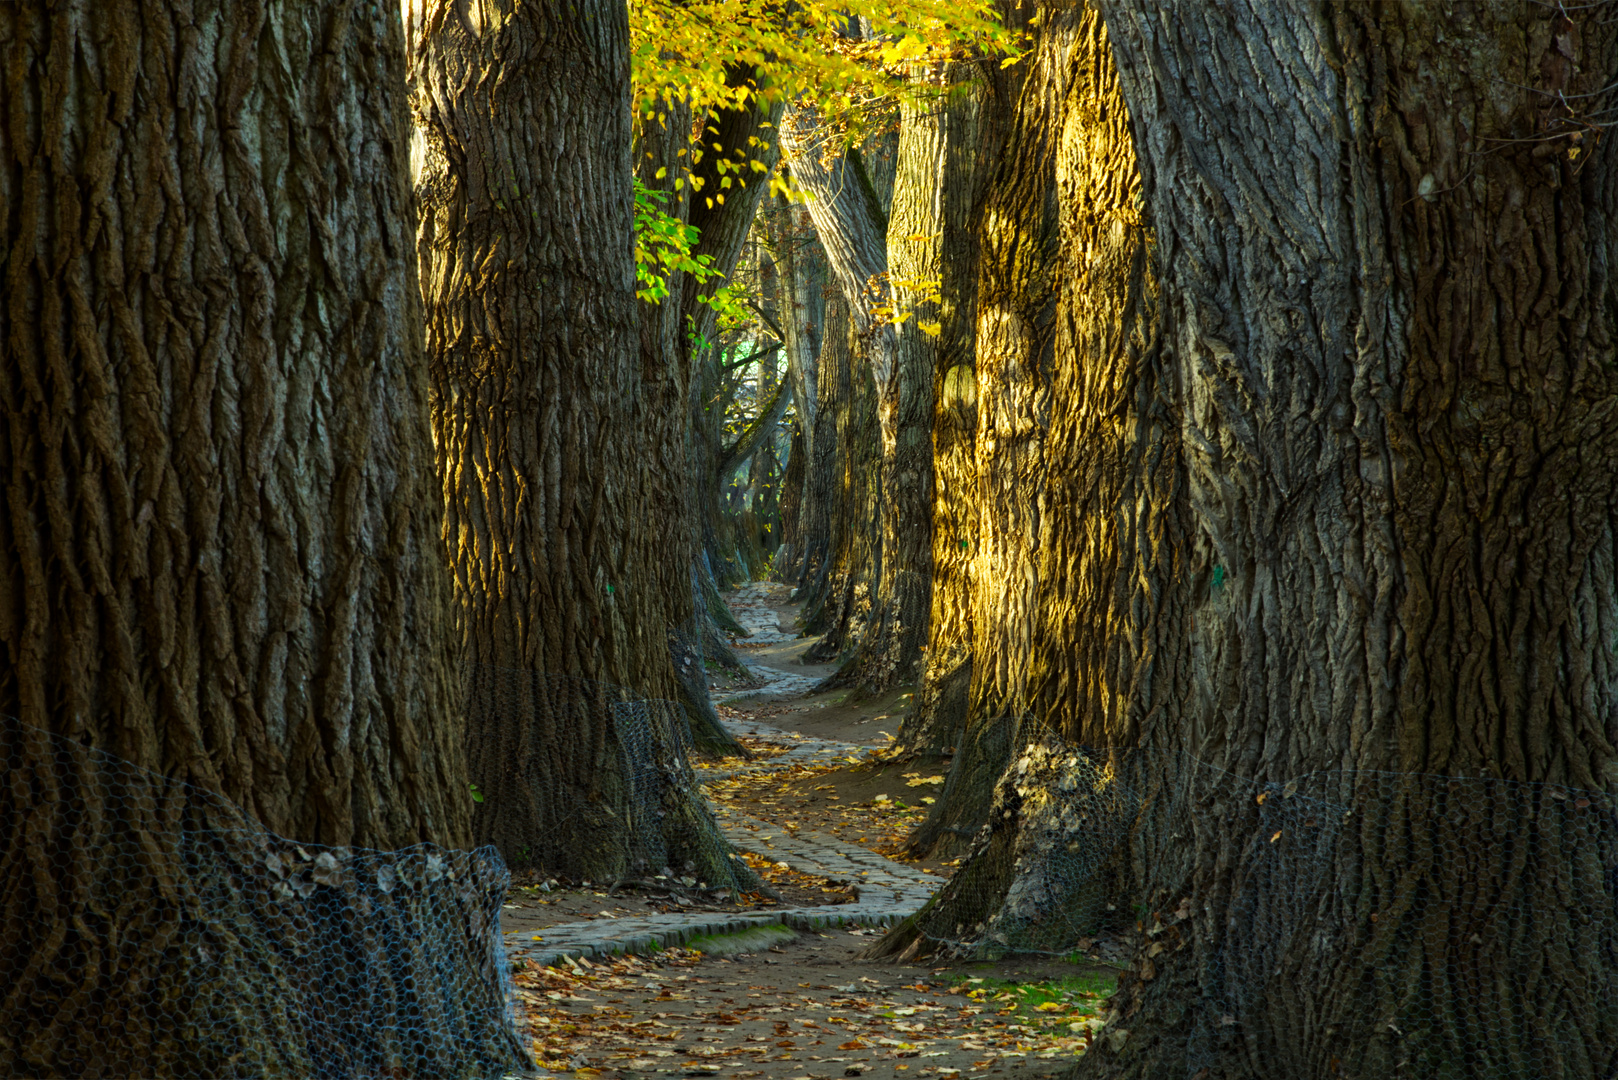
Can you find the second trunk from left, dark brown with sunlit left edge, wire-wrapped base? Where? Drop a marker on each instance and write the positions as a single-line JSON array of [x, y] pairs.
[[546, 419]]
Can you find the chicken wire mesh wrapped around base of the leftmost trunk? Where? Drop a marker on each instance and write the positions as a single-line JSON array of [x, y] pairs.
[[153, 929]]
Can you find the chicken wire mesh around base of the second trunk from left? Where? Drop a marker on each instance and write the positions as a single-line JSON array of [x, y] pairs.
[[591, 781]]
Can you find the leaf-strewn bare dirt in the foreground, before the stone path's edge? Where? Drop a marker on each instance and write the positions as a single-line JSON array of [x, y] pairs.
[[808, 1008]]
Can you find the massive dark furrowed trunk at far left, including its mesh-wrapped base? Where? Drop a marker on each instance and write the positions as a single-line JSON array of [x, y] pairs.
[[226, 613]]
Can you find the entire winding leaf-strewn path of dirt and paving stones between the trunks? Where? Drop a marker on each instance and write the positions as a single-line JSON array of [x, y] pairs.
[[782, 1005]]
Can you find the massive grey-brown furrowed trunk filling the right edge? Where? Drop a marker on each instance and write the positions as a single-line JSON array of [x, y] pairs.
[[1396, 388]]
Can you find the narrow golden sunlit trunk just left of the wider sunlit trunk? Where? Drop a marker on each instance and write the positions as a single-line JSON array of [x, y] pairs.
[[1017, 326]]
